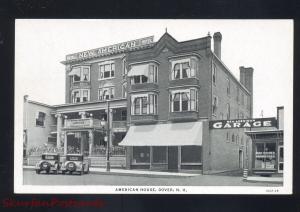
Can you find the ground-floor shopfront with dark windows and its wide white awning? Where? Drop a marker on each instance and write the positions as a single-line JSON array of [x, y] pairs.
[[167, 146]]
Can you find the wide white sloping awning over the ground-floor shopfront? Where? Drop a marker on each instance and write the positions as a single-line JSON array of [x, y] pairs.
[[173, 134]]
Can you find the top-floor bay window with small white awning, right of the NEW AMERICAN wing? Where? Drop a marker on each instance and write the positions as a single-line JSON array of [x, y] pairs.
[[144, 73]]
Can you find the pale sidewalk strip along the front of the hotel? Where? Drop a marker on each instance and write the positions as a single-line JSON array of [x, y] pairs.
[[126, 172]]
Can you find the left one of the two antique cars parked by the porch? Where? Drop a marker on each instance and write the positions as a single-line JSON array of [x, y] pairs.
[[50, 162]]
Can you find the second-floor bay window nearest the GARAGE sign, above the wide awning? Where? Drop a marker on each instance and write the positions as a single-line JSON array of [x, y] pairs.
[[184, 100]]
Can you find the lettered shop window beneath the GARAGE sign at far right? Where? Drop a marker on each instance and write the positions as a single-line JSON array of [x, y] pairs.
[[265, 156]]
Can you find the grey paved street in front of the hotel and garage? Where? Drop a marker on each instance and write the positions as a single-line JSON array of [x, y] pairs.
[[31, 178]]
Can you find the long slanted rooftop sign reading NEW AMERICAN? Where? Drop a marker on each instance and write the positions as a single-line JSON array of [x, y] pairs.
[[120, 47]]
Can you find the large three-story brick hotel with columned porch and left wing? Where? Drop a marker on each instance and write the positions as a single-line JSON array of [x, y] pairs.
[[161, 96]]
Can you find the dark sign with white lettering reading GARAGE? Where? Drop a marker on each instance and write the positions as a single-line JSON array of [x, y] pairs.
[[243, 123]]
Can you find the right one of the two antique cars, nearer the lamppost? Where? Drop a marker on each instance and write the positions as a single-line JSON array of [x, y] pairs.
[[75, 163]]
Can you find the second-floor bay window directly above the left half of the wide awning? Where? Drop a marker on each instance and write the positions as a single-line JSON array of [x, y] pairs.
[[144, 104]]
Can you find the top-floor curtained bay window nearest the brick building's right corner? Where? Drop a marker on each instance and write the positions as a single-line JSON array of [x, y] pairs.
[[184, 68]]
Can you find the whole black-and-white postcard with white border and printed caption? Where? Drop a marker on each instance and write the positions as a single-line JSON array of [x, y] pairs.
[[139, 106]]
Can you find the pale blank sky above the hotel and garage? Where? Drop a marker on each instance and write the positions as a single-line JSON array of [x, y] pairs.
[[265, 45]]
